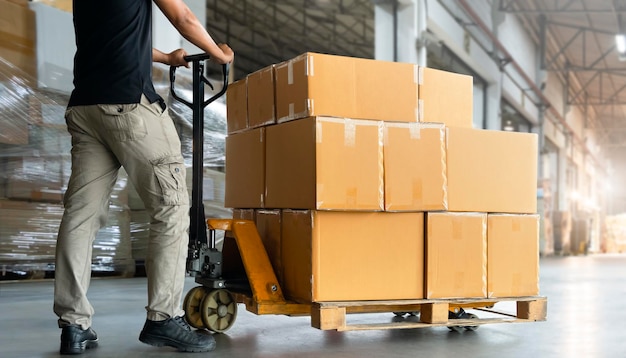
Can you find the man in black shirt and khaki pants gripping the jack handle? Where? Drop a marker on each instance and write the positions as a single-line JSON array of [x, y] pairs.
[[116, 118]]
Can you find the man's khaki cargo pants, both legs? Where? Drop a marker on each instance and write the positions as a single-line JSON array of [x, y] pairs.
[[141, 138]]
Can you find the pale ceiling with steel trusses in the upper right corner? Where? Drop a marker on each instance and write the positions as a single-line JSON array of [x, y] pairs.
[[580, 46]]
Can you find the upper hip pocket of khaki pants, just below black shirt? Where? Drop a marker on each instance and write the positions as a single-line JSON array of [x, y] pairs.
[[124, 122]]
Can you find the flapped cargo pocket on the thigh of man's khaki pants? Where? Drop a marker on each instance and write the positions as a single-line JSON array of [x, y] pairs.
[[170, 174]]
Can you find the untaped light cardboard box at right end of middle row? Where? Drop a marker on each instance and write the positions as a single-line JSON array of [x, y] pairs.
[[491, 171]]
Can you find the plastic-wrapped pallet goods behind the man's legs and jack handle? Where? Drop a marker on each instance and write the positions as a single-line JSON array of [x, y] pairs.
[[35, 165]]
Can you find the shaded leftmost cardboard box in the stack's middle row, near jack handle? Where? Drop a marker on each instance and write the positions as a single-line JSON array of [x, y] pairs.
[[245, 169]]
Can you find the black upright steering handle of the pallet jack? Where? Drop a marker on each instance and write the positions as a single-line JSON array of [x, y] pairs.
[[197, 228]]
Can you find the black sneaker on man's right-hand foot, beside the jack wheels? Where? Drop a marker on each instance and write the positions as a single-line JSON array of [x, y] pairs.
[[175, 332]]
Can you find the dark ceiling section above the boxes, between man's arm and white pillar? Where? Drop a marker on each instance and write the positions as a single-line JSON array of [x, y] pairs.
[[267, 32]]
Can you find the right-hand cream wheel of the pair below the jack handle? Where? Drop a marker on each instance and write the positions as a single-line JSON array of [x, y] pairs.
[[218, 310]]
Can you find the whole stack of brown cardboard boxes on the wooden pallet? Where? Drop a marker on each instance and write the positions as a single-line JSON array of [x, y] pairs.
[[377, 185]]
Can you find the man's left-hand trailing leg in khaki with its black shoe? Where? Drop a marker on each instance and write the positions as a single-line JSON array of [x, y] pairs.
[[86, 201]]
